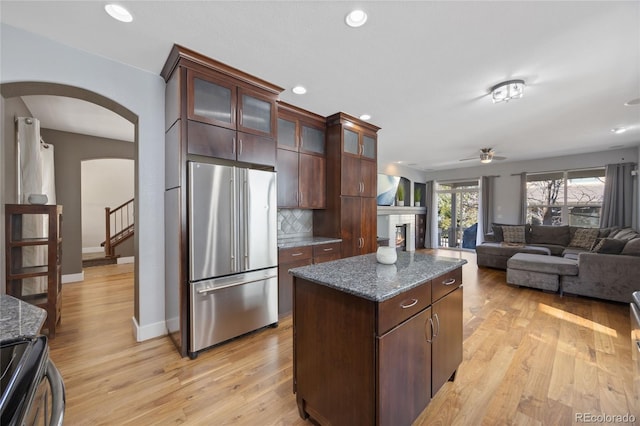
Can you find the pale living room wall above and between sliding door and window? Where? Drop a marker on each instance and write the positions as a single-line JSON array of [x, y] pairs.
[[507, 190]]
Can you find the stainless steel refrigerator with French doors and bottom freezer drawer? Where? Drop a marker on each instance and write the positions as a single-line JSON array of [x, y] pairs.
[[233, 257]]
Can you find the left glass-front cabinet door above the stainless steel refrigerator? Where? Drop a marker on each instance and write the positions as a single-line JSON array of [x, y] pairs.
[[211, 101]]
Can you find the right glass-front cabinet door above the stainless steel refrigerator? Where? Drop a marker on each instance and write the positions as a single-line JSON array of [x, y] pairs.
[[256, 113]]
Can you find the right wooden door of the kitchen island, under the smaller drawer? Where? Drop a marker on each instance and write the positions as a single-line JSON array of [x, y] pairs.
[[447, 340]]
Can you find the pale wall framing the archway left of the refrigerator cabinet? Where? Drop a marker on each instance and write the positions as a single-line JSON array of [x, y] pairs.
[[28, 57]]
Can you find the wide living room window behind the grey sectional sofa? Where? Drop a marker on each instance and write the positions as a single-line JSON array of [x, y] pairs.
[[571, 197]]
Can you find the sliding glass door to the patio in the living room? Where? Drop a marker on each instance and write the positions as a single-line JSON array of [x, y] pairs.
[[457, 214]]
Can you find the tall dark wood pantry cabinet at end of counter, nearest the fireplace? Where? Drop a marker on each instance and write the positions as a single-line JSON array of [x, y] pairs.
[[351, 185]]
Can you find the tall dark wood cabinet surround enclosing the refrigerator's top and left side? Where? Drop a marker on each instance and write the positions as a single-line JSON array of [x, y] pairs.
[[213, 113]]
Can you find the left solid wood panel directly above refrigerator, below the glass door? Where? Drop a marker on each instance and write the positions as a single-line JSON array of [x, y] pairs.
[[212, 141]]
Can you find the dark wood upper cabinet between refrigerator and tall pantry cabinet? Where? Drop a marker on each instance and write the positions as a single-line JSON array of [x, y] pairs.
[[301, 158]]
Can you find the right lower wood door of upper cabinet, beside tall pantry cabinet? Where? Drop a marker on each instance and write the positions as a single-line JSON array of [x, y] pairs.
[[312, 181]]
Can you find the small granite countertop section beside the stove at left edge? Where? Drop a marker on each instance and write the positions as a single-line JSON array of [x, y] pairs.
[[18, 318]]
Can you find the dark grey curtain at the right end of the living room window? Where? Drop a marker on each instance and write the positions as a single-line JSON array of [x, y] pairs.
[[617, 205]]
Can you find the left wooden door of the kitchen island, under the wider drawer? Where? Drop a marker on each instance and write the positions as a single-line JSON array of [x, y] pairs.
[[404, 371]]
